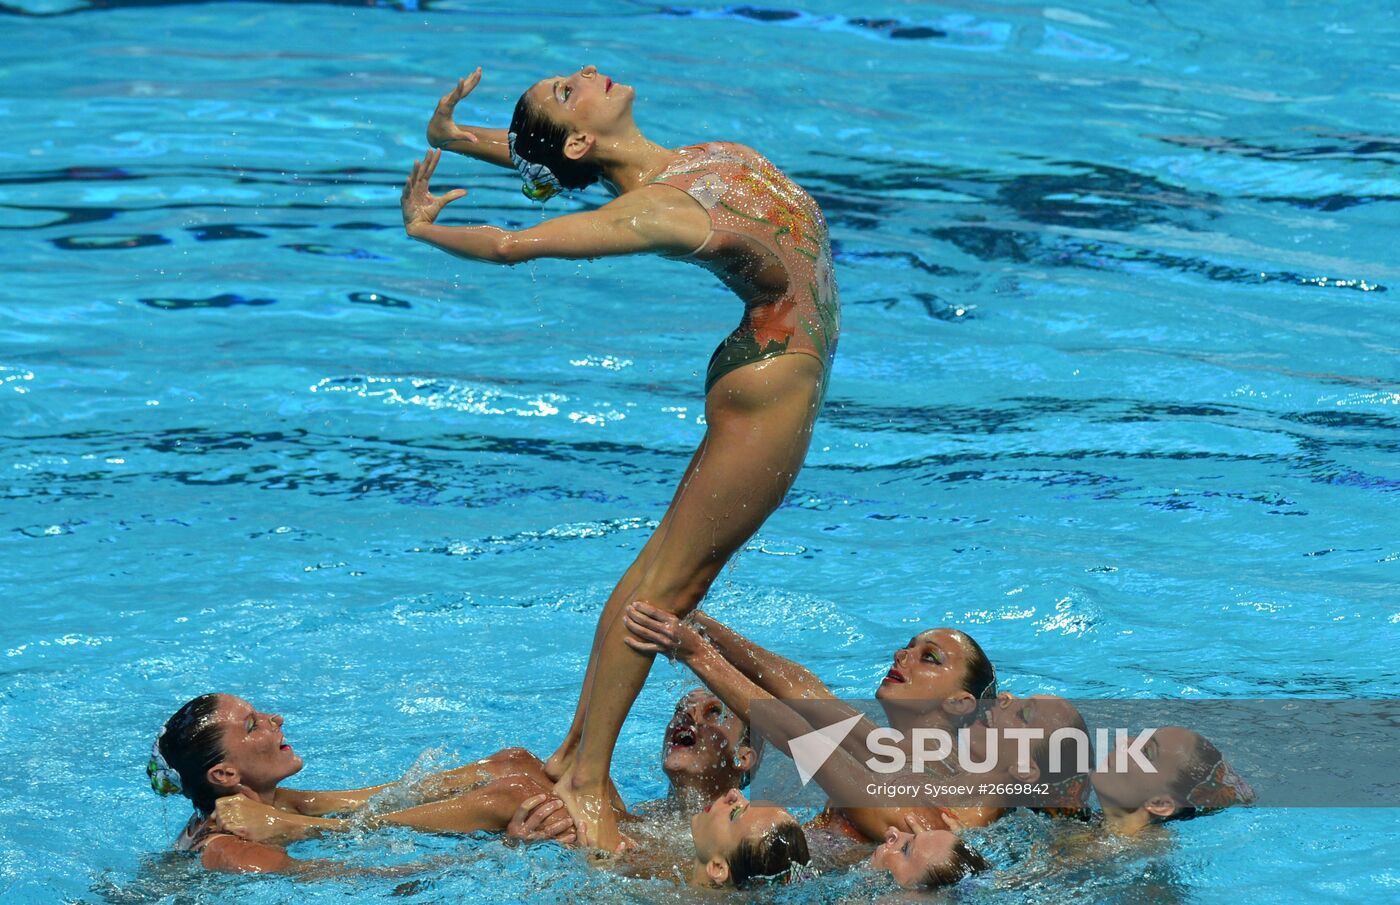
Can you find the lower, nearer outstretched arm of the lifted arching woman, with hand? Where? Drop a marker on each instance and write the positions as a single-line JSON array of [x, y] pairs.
[[654, 219]]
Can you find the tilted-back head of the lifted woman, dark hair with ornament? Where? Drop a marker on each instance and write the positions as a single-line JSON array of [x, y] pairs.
[[559, 127]]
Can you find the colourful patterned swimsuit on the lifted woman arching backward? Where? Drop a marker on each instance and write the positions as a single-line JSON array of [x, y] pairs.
[[768, 243]]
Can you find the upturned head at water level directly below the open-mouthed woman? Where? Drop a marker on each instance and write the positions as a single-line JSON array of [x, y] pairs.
[[738, 843]]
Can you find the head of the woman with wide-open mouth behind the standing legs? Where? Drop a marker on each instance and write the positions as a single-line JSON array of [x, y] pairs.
[[705, 743]]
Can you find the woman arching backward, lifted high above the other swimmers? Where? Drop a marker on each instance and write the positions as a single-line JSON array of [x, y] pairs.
[[719, 205]]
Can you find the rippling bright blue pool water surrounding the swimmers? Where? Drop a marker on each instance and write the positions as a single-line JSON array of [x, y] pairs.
[[1118, 393]]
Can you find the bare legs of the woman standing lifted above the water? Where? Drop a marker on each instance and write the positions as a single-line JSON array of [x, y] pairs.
[[759, 427]]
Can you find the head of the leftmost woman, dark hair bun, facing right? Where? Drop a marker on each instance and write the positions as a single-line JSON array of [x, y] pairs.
[[218, 745]]
